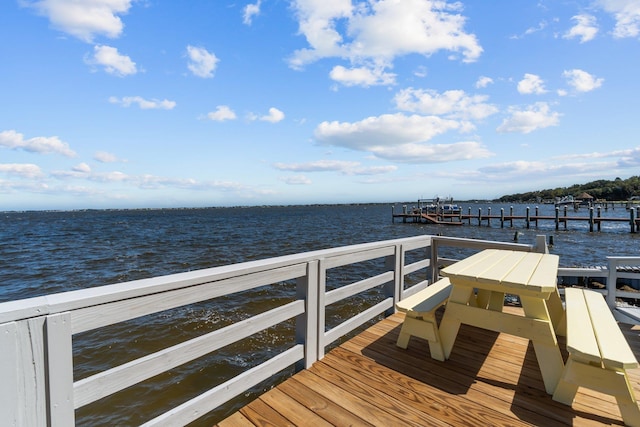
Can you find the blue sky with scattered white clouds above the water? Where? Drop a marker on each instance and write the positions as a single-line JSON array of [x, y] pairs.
[[160, 103]]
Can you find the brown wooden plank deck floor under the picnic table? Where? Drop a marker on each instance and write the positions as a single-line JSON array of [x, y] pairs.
[[490, 379]]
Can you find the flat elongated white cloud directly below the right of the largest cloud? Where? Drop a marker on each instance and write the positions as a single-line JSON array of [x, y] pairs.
[[451, 103]]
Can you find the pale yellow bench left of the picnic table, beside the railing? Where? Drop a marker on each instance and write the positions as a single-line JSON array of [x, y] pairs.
[[420, 318]]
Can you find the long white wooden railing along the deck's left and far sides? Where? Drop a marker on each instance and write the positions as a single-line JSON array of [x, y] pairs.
[[37, 386]]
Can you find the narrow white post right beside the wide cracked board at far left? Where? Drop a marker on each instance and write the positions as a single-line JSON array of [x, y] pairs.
[[60, 370]]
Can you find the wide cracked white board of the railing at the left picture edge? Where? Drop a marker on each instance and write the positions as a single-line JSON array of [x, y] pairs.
[[22, 373]]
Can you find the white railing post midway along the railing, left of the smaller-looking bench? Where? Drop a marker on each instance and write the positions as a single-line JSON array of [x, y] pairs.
[[307, 324]]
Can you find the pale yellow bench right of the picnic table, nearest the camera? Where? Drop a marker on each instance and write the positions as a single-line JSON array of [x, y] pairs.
[[599, 354]]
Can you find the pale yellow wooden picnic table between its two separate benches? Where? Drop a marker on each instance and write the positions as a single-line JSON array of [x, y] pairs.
[[479, 284]]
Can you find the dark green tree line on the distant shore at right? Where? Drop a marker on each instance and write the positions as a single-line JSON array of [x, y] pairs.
[[618, 189]]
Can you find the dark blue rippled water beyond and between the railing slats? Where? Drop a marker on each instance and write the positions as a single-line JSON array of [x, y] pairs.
[[48, 252]]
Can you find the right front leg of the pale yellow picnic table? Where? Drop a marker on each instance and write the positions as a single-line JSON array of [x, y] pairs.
[[545, 344]]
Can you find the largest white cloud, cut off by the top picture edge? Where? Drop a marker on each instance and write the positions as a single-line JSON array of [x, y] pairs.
[[360, 34]]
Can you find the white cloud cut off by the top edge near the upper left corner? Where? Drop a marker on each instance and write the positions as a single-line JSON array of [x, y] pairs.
[[83, 19]]
